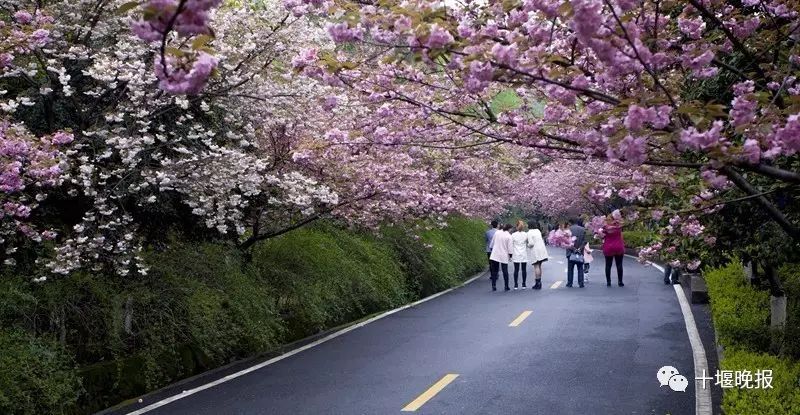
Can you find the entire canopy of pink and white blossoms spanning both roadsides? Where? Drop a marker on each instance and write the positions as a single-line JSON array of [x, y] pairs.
[[252, 118]]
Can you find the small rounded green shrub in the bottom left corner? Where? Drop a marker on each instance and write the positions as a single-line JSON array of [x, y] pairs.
[[36, 375]]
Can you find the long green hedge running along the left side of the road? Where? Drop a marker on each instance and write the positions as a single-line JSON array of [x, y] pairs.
[[205, 304]]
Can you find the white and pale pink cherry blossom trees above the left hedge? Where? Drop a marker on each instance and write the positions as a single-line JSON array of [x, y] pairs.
[[122, 121]]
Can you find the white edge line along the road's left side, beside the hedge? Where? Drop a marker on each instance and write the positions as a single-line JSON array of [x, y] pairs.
[[332, 336]]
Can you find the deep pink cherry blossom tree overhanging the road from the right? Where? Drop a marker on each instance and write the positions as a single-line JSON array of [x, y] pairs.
[[701, 89]]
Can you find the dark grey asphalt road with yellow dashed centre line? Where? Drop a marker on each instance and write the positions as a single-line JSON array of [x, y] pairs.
[[593, 350]]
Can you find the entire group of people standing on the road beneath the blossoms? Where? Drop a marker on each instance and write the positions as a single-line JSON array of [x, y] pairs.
[[528, 246]]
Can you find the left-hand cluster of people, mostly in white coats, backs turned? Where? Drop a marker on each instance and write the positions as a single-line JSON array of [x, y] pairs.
[[524, 246]]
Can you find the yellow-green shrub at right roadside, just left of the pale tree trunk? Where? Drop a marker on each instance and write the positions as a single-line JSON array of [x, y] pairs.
[[740, 312]]
